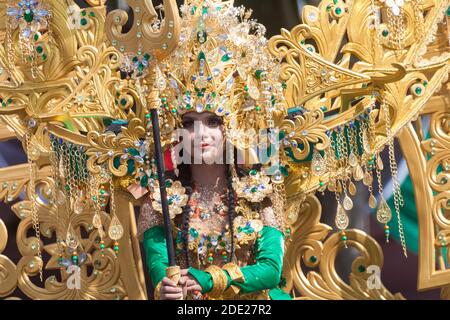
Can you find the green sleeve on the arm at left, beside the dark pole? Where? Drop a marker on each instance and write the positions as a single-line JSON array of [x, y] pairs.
[[156, 253]]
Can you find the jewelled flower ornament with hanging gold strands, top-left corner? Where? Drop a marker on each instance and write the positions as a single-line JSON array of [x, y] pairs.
[[32, 19]]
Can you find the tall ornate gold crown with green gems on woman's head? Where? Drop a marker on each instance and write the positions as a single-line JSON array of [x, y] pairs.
[[221, 65]]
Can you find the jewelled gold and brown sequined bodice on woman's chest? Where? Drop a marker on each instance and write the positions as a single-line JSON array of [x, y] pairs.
[[208, 231]]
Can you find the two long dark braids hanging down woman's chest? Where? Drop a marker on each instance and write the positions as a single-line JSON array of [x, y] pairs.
[[185, 179]]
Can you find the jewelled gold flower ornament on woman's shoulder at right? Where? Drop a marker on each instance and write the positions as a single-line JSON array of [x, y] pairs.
[[254, 188]]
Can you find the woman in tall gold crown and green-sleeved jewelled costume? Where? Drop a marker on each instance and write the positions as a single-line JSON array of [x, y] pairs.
[[229, 233]]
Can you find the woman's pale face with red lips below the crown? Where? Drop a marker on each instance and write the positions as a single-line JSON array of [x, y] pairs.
[[205, 137]]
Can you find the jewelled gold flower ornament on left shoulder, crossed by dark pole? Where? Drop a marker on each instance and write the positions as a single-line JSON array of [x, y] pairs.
[[176, 197]]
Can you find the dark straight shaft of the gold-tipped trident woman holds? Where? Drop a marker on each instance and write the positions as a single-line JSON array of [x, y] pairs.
[[162, 187]]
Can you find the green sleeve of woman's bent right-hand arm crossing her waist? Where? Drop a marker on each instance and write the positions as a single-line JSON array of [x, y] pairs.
[[264, 274]]
